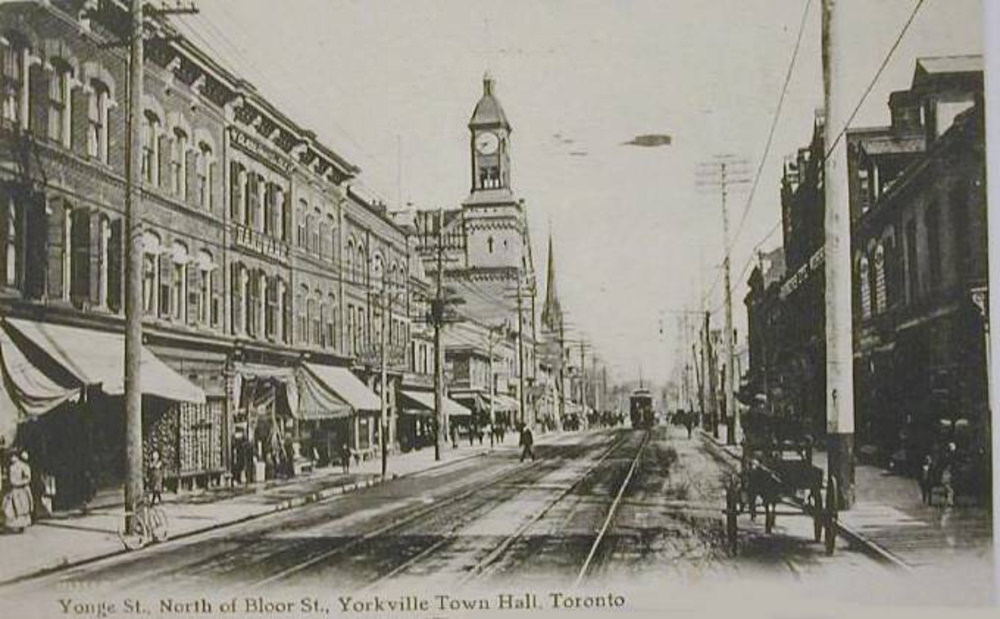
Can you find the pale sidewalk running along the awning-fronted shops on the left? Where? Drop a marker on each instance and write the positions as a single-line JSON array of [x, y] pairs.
[[74, 538]]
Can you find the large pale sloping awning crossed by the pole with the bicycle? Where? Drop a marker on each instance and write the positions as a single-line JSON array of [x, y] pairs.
[[96, 358]]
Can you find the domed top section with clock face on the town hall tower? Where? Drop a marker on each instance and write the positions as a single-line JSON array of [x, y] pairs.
[[490, 142]]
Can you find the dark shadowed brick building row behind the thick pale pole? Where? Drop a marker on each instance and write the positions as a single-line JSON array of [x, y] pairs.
[[918, 210]]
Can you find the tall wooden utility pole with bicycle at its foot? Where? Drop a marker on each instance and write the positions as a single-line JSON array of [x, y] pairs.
[[133, 273]]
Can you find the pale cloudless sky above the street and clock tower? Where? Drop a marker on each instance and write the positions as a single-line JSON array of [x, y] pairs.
[[391, 85]]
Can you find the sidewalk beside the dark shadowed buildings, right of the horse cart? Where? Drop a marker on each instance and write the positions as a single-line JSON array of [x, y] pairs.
[[889, 518]]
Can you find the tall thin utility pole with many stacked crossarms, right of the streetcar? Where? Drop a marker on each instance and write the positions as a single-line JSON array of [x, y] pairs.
[[725, 172]]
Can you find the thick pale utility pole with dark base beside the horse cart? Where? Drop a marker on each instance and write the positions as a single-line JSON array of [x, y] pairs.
[[839, 355]]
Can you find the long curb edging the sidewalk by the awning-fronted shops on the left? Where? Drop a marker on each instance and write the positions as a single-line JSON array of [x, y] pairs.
[[285, 505]]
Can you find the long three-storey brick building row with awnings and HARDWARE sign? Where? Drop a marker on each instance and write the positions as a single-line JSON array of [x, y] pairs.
[[259, 269]]
